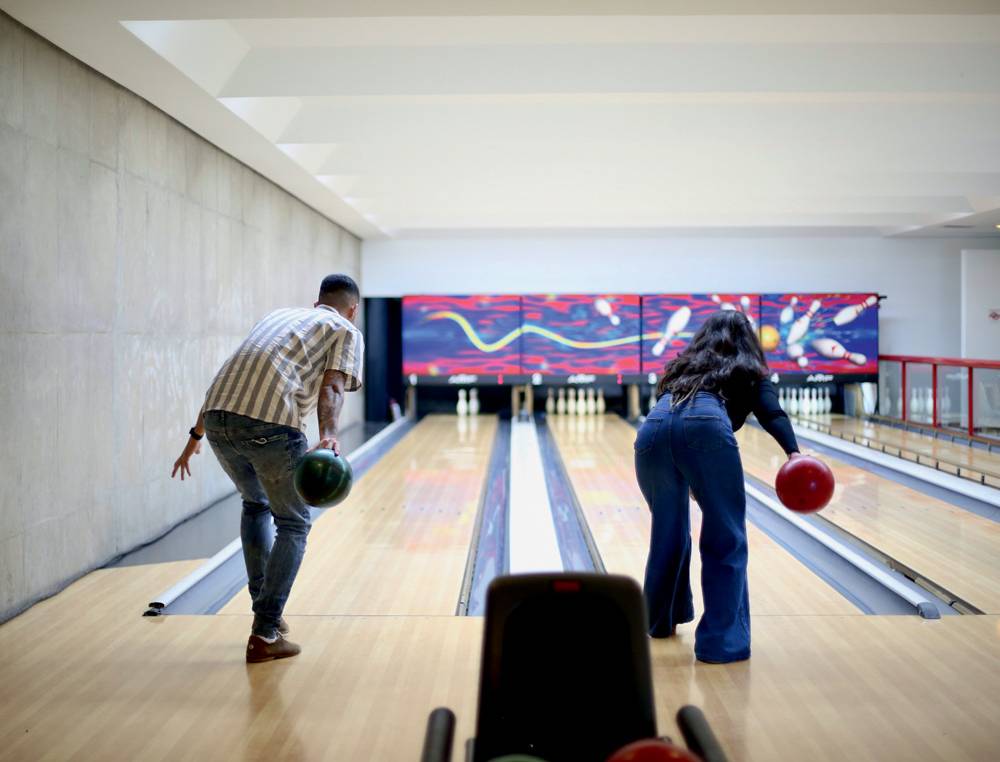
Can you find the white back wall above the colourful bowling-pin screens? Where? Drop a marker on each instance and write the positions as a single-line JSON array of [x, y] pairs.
[[920, 276]]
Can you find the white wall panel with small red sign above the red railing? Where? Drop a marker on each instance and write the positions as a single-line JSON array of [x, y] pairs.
[[980, 302]]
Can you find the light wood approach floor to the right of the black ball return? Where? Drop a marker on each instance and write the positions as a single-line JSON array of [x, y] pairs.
[[845, 687]]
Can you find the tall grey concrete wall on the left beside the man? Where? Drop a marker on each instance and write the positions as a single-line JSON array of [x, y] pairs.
[[134, 256]]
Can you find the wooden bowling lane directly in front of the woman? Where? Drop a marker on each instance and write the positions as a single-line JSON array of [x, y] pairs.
[[598, 457]]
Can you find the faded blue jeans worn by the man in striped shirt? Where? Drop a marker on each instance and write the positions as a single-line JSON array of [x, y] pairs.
[[260, 458]]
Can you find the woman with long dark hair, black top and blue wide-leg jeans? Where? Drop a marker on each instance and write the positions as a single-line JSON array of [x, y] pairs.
[[687, 444]]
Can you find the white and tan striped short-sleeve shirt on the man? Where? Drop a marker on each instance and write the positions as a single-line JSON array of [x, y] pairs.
[[275, 374]]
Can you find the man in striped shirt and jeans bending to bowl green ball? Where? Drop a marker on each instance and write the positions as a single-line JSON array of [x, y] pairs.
[[293, 362]]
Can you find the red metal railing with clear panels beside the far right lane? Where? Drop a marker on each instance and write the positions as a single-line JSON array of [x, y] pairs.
[[910, 407]]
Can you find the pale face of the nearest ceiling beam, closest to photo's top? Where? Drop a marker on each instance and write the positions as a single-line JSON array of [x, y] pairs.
[[612, 68]]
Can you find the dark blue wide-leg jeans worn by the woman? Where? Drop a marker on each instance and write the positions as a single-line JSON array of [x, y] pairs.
[[692, 447]]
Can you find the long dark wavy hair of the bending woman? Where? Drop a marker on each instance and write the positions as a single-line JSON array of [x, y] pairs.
[[724, 353]]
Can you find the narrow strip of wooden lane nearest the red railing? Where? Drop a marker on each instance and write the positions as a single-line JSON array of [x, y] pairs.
[[981, 462]]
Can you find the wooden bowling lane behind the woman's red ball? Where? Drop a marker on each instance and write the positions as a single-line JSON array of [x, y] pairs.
[[952, 547]]
